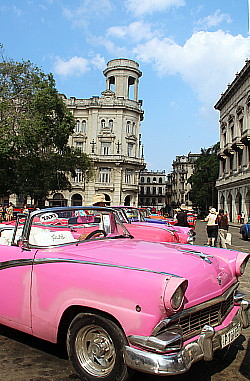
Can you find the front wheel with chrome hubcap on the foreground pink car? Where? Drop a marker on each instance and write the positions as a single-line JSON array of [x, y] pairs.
[[95, 348]]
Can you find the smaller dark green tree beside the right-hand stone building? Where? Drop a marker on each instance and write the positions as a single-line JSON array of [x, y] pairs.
[[206, 172]]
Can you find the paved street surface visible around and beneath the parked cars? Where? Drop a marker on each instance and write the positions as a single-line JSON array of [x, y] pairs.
[[23, 357]]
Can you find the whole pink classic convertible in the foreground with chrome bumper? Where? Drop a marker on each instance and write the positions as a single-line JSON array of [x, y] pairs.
[[76, 276]]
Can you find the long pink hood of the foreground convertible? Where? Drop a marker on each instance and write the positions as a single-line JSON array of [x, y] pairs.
[[208, 275]]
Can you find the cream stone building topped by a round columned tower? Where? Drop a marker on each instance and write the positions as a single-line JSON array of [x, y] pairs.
[[108, 130]]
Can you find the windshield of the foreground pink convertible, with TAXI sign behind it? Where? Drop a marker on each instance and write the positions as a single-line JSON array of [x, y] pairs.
[[59, 226]]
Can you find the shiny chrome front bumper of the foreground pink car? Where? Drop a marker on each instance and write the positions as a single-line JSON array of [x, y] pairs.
[[202, 348]]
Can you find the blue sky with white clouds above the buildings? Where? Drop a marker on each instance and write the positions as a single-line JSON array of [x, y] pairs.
[[188, 52]]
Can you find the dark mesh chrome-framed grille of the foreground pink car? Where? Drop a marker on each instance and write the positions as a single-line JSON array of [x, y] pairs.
[[213, 315]]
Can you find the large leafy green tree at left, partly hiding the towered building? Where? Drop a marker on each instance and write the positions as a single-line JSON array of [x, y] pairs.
[[35, 126]]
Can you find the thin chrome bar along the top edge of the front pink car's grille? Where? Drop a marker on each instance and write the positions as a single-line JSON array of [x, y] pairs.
[[164, 323]]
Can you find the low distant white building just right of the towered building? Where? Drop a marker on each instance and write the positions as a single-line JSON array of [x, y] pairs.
[[152, 189]]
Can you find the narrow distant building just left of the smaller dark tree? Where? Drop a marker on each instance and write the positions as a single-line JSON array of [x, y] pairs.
[[183, 167]]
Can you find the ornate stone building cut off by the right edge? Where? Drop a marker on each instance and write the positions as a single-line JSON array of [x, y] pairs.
[[234, 177]]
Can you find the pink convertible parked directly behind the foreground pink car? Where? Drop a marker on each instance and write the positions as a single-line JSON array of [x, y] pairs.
[[152, 229]]
